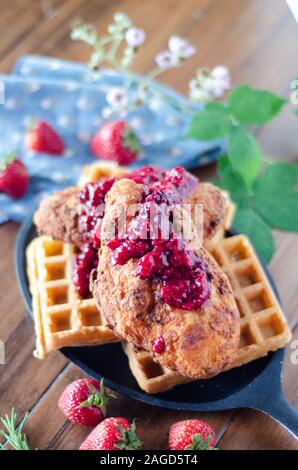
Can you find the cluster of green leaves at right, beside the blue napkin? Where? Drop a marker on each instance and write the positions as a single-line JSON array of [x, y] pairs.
[[265, 193]]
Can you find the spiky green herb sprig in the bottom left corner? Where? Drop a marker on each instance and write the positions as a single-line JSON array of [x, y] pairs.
[[14, 434]]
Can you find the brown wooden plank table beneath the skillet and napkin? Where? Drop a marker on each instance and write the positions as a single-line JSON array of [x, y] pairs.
[[256, 40]]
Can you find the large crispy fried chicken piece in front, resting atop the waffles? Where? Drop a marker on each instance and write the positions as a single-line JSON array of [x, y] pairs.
[[199, 343]]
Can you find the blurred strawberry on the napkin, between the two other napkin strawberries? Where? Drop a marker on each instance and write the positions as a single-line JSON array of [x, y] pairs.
[[41, 137]]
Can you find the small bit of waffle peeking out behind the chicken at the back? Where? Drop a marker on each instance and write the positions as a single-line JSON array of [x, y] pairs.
[[99, 170]]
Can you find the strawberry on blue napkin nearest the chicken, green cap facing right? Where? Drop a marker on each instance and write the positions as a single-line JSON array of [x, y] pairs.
[[116, 141]]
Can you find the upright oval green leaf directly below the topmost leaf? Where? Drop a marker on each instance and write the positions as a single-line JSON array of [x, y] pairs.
[[244, 153]]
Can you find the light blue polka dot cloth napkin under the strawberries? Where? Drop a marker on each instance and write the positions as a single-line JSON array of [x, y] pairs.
[[69, 97]]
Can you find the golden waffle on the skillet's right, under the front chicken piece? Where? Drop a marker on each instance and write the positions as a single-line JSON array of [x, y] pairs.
[[262, 324]]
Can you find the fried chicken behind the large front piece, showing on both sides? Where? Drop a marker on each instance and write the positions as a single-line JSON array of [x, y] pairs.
[[57, 215]]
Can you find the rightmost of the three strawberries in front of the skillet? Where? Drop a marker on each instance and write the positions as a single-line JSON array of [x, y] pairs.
[[191, 434]]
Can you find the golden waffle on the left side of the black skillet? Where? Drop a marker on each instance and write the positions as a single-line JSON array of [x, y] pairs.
[[61, 318]]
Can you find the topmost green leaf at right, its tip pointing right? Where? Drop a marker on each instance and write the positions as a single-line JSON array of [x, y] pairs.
[[254, 106]]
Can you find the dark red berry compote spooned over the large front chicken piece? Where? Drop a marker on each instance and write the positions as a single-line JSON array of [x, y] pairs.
[[170, 262]]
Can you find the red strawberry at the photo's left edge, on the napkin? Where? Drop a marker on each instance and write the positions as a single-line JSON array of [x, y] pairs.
[[14, 178]]
